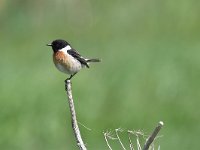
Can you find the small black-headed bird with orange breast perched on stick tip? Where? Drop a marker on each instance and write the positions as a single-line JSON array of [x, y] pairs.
[[67, 59]]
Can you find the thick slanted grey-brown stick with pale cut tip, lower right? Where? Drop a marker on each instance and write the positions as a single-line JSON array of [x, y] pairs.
[[153, 135]]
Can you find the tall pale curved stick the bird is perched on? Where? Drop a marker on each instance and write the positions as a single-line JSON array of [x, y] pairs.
[[75, 127]]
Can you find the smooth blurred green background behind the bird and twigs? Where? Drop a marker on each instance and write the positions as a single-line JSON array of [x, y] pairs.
[[149, 72]]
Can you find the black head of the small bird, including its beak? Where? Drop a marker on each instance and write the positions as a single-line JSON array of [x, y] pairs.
[[58, 44]]
